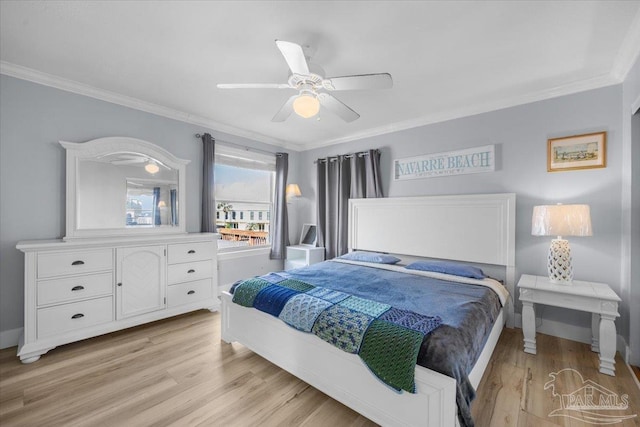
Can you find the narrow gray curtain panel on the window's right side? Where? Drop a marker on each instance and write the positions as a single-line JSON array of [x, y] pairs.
[[280, 223]]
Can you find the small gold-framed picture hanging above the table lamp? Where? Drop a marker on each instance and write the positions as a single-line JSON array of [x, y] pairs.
[[577, 152]]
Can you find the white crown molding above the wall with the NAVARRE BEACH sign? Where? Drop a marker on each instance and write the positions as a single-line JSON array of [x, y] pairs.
[[576, 87]]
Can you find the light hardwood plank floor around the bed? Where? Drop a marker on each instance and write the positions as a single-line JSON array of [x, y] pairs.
[[178, 372]]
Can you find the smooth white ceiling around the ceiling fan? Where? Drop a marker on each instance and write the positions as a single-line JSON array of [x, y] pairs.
[[447, 59]]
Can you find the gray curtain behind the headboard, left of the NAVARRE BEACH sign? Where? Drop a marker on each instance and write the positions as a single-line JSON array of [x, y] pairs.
[[339, 179]]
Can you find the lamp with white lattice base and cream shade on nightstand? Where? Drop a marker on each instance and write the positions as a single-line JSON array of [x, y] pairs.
[[560, 220]]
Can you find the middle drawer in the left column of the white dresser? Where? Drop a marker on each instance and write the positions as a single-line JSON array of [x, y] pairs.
[[74, 288]]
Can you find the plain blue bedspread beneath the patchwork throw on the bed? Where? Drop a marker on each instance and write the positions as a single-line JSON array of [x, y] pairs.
[[467, 312]]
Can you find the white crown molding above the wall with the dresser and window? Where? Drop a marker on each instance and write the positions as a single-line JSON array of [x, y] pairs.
[[72, 86]]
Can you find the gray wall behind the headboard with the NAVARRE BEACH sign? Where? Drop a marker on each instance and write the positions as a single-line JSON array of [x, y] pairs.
[[520, 135]]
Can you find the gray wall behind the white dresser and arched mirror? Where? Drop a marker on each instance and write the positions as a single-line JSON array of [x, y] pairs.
[[32, 166]]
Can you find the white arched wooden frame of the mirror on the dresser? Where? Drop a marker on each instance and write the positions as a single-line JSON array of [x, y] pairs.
[[77, 151]]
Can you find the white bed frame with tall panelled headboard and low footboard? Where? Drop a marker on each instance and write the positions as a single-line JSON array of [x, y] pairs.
[[477, 229]]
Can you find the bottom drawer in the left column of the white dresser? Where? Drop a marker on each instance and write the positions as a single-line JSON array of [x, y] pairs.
[[77, 315]]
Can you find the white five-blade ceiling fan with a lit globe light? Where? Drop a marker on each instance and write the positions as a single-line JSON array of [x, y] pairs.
[[313, 88]]
